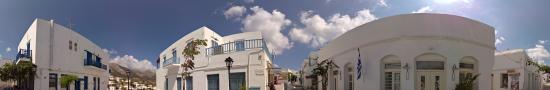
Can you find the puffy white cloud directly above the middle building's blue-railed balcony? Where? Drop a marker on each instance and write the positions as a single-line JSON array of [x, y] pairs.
[[270, 25]]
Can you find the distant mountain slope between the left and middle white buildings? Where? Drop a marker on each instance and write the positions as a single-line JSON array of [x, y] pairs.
[[139, 75]]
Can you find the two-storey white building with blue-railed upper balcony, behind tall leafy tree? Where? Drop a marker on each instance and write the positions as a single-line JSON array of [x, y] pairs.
[[248, 51]]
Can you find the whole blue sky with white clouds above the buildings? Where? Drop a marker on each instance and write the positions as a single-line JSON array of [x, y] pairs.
[[138, 30]]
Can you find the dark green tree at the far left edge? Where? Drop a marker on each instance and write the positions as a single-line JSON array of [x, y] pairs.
[[22, 73]]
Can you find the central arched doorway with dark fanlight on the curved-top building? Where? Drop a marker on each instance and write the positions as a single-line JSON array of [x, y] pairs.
[[430, 72]]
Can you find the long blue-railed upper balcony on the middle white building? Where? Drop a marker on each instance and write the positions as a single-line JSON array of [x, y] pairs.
[[236, 46]]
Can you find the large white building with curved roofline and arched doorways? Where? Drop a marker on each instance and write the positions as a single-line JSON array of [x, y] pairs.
[[411, 51]]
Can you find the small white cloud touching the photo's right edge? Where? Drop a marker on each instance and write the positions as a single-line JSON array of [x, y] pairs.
[[539, 53]]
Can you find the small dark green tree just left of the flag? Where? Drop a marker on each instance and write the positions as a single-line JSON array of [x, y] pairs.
[[322, 70]]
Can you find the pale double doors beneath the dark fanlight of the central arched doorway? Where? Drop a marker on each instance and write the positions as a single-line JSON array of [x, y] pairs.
[[430, 80]]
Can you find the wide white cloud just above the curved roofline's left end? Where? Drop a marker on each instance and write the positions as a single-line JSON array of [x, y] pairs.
[[317, 31]]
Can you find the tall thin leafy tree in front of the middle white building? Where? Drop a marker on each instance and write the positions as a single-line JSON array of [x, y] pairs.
[[189, 53]]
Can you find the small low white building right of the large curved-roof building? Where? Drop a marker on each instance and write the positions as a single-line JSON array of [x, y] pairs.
[[512, 71]]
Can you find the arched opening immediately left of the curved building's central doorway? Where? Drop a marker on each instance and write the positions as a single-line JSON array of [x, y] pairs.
[[391, 70]]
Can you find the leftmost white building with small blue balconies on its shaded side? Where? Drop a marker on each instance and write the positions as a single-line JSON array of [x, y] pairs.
[[57, 51]]
